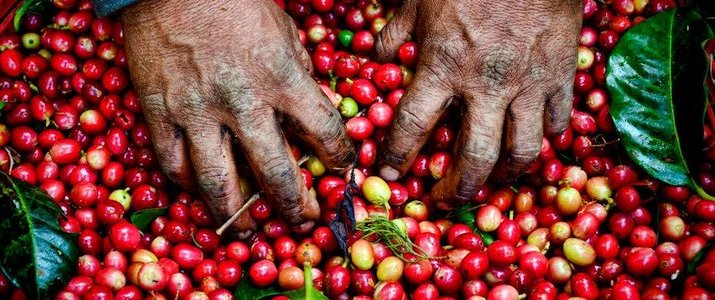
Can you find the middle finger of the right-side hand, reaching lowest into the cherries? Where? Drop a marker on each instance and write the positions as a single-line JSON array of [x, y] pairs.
[[477, 149]]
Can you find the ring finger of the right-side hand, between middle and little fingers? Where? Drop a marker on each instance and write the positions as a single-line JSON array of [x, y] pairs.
[[522, 138]]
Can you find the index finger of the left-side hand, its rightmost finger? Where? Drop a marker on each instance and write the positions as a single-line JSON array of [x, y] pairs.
[[316, 121]]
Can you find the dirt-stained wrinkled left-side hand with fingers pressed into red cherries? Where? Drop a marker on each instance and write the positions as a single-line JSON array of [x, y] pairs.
[[213, 72]]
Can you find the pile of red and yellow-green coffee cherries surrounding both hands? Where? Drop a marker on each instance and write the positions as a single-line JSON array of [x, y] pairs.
[[583, 223]]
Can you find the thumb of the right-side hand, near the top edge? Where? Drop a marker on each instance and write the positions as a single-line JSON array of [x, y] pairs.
[[396, 32]]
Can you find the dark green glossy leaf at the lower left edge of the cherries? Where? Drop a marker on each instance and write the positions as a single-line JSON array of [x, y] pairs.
[[35, 254]]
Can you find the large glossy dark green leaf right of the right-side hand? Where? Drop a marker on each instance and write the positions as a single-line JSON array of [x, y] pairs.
[[655, 77]]
